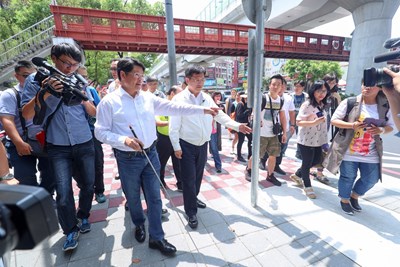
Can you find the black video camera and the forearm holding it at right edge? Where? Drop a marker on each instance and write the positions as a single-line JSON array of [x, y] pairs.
[[388, 78]]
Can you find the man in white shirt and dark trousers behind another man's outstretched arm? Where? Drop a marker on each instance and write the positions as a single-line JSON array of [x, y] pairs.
[[189, 136]]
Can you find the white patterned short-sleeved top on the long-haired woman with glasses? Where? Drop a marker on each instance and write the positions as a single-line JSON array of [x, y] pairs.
[[313, 136]]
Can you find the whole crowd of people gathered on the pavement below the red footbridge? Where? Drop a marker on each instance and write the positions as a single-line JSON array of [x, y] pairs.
[[145, 127]]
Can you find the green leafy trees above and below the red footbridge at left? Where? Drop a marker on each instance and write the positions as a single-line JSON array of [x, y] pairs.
[[16, 15]]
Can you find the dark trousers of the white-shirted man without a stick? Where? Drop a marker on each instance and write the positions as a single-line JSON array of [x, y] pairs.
[[192, 166]]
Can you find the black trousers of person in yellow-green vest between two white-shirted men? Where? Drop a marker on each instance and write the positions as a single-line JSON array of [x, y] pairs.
[[165, 150]]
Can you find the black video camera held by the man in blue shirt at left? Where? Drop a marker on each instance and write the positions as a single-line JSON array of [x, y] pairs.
[[73, 84]]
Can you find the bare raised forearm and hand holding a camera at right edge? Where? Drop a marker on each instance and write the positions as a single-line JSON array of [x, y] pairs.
[[393, 96]]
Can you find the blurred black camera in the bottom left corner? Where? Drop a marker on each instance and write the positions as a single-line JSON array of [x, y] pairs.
[[27, 217]]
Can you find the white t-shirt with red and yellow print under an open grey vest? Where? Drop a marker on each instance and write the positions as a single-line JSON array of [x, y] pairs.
[[362, 148]]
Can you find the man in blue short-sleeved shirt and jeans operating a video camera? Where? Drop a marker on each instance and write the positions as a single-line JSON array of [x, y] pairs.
[[69, 140]]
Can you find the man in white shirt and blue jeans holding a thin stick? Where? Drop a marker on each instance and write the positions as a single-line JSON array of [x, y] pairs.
[[130, 108]]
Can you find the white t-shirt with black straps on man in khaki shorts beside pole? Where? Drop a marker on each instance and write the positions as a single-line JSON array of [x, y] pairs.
[[266, 118]]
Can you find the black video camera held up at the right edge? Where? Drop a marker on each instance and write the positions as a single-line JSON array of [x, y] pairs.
[[378, 77]]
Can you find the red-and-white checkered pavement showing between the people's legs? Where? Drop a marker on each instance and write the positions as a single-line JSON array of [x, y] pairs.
[[232, 176]]
